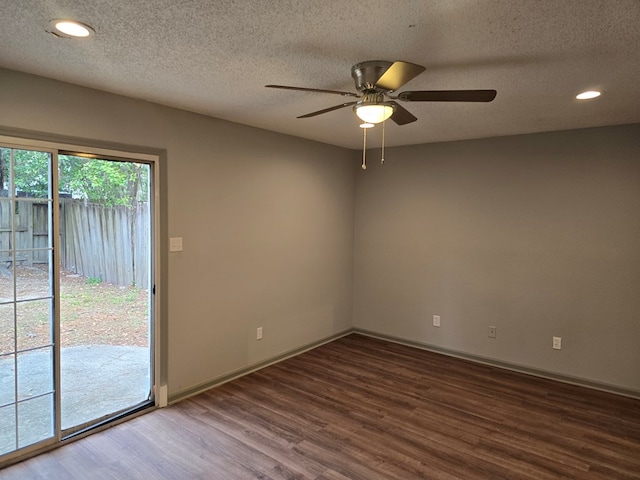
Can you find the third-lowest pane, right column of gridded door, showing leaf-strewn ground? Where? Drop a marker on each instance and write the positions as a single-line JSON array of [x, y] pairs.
[[34, 324]]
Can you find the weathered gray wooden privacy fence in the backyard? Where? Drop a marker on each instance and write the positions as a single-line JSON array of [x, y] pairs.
[[110, 244]]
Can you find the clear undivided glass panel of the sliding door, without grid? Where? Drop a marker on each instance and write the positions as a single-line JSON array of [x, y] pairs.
[[105, 353]]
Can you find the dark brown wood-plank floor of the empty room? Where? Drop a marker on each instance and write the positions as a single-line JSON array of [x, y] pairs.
[[361, 408]]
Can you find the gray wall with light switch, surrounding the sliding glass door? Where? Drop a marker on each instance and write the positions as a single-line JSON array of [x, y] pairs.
[[267, 222]]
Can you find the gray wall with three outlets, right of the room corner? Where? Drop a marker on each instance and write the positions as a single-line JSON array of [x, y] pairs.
[[538, 235]]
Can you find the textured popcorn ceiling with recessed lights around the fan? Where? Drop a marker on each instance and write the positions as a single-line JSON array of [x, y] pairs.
[[215, 56]]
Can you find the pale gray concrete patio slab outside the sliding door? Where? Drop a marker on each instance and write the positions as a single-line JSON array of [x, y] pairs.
[[96, 380]]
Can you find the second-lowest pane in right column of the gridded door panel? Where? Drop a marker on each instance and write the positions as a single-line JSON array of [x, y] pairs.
[[35, 373]]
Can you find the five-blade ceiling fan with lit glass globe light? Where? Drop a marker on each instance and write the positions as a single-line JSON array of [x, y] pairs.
[[376, 81]]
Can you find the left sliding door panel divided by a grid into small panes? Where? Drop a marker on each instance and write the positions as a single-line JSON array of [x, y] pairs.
[[26, 299]]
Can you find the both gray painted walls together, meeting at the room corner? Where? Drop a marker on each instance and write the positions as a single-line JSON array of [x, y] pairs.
[[534, 234]]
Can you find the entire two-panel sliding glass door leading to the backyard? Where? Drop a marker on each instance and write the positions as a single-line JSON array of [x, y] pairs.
[[76, 291]]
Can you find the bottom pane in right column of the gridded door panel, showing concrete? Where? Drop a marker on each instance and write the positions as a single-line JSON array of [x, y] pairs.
[[35, 420]]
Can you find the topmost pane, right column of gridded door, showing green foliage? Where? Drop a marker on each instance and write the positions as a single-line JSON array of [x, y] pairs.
[[31, 174]]
